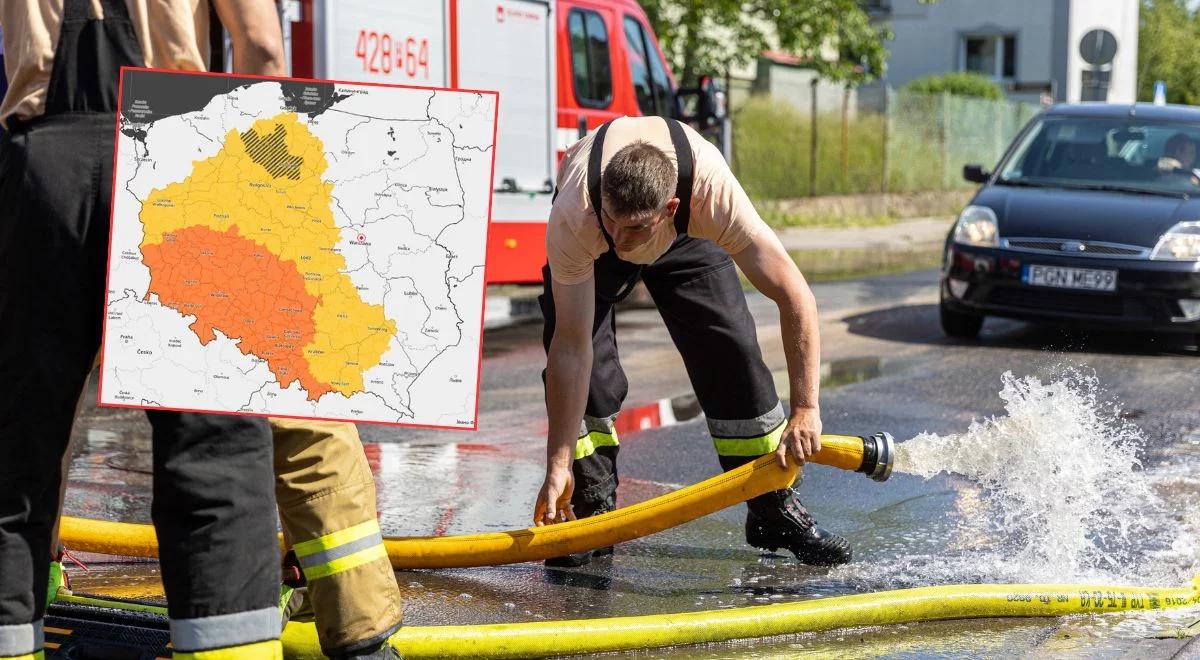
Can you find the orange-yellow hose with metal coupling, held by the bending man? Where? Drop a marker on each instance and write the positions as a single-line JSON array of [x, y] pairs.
[[872, 455]]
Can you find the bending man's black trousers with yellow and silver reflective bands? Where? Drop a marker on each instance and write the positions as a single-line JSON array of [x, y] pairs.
[[698, 291]]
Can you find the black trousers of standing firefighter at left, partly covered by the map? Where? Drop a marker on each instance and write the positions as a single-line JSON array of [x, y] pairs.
[[213, 507]]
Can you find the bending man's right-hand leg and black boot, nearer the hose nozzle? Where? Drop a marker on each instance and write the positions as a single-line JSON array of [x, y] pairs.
[[698, 291]]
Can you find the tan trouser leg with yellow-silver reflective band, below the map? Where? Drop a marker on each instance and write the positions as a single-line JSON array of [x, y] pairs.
[[327, 502]]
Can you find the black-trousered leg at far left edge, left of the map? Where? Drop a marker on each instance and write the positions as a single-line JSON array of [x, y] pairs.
[[53, 242]]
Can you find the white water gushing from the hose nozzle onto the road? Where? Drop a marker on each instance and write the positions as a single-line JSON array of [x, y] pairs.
[[1064, 495]]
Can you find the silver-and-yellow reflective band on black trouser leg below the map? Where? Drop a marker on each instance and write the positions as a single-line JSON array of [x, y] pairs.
[[227, 633]]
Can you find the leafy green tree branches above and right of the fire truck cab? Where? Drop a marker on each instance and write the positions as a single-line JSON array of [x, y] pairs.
[[711, 37]]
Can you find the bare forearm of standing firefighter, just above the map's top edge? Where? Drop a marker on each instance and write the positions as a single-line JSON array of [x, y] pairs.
[[257, 39]]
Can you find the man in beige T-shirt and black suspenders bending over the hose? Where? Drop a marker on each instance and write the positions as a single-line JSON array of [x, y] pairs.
[[649, 199]]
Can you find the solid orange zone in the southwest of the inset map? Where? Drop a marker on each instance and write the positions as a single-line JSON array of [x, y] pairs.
[[241, 289]]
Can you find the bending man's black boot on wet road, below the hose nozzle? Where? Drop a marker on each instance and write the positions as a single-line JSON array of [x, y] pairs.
[[778, 520]]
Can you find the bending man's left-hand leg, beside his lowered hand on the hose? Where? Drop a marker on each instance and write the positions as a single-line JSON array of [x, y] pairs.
[[596, 453]]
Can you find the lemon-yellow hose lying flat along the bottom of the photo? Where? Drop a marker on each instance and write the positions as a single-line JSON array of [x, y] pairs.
[[925, 604]]
